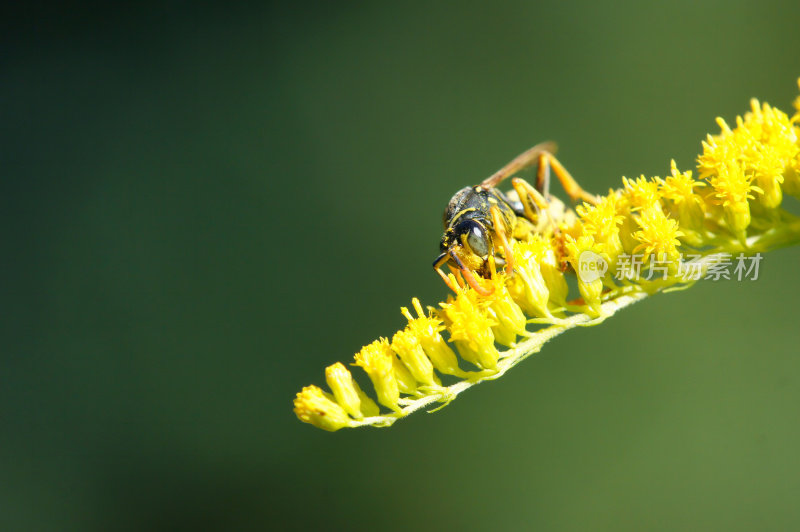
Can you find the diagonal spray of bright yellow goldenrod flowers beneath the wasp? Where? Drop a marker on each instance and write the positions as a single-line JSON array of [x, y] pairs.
[[734, 206]]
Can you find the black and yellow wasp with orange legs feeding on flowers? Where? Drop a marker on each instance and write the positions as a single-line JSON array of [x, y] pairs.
[[479, 221]]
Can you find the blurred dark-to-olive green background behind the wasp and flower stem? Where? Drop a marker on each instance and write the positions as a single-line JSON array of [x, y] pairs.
[[205, 206]]
